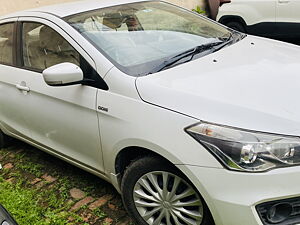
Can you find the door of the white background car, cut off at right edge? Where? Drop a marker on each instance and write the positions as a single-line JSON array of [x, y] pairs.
[[288, 18]]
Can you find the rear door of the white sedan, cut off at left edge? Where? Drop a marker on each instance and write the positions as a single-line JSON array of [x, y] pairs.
[[12, 96]]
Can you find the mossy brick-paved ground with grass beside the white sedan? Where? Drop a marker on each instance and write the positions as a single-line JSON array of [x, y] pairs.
[[74, 196]]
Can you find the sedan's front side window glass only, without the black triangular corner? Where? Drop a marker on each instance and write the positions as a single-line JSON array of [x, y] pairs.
[[43, 47]]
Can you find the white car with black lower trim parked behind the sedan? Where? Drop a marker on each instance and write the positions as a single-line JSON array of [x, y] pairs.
[[271, 18]]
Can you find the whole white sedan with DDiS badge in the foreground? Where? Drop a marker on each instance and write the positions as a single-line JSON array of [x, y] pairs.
[[193, 124]]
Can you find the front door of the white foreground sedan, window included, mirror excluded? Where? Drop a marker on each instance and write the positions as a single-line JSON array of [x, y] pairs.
[[63, 120]]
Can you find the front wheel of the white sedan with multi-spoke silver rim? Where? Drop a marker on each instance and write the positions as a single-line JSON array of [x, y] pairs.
[[146, 202]]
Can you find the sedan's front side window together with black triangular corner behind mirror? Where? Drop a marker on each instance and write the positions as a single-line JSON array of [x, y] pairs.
[[43, 47]]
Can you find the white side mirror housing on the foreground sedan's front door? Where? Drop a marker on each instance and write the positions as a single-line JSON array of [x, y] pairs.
[[63, 74]]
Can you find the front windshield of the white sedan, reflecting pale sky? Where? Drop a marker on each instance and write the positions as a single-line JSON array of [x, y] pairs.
[[138, 37]]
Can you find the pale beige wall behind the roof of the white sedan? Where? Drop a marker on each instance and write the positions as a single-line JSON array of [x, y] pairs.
[[9, 6]]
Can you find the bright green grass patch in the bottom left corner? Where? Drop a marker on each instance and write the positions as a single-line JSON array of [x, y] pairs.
[[30, 206]]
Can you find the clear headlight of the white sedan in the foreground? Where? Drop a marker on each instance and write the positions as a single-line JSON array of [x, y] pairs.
[[245, 150]]
